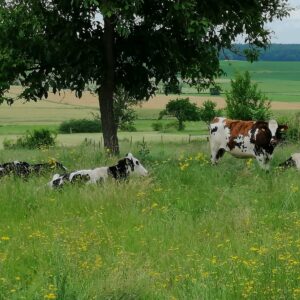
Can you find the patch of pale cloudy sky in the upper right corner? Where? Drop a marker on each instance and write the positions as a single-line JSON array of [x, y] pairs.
[[287, 31]]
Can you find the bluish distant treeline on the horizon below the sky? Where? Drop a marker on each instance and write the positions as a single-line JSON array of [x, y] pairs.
[[275, 52]]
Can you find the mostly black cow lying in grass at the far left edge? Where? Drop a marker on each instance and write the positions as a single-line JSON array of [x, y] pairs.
[[23, 169]]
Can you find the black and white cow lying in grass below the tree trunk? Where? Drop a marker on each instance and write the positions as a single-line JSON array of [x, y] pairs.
[[126, 166]]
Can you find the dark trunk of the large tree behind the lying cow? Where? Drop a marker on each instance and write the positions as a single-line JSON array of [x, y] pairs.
[[106, 92]]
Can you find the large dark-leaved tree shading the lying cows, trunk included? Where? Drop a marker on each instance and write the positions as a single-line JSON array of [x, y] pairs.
[[58, 44]]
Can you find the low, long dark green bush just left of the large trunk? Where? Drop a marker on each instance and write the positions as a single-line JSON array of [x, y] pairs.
[[80, 125]]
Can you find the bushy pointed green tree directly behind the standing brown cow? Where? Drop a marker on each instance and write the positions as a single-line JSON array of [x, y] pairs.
[[245, 101]]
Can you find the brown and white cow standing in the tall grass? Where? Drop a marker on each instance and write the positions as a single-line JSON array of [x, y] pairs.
[[244, 139]]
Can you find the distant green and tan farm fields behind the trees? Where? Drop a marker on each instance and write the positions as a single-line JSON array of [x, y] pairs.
[[279, 80]]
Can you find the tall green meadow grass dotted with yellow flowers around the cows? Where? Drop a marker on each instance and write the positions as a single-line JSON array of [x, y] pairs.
[[188, 231]]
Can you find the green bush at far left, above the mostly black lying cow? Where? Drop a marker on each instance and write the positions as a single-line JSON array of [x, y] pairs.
[[37, 139]]
